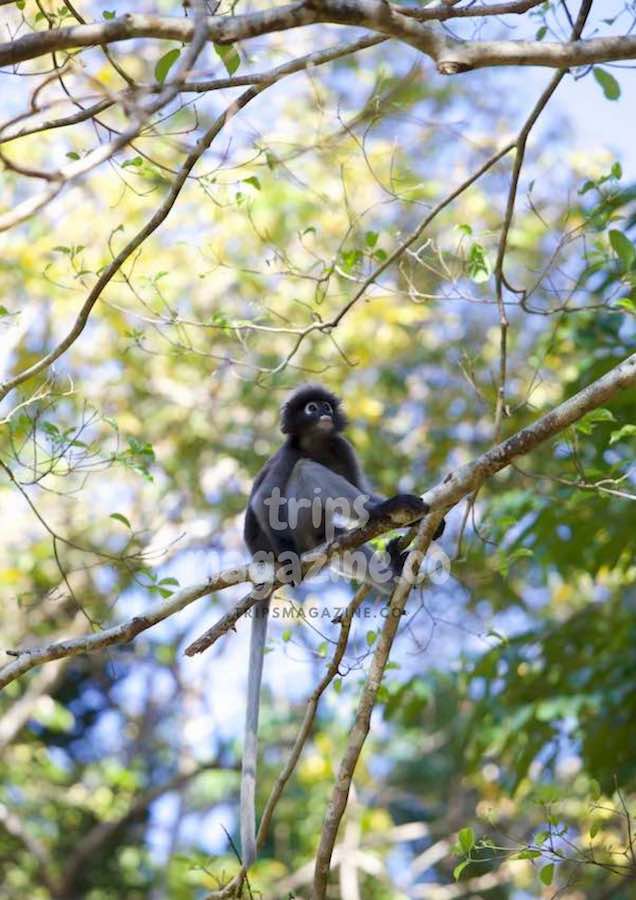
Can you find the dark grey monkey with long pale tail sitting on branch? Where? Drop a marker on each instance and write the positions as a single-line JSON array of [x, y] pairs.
[[314, 460]]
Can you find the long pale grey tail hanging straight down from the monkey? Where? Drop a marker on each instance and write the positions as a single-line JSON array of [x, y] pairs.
[[250, 739]]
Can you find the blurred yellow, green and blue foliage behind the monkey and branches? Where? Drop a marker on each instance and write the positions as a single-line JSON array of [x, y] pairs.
[[507, 716]]
